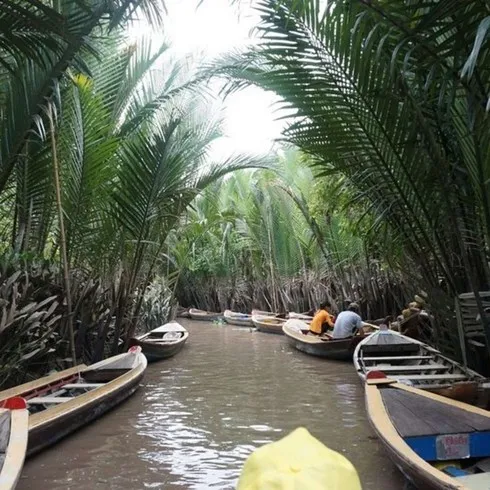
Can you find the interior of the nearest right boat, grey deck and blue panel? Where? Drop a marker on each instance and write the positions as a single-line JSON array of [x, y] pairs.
[[455, 441]]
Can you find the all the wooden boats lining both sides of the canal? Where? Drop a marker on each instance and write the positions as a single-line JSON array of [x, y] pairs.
[[424, 407]]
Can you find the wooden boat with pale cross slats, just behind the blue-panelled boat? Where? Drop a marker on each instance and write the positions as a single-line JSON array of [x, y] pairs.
[[417, 364]]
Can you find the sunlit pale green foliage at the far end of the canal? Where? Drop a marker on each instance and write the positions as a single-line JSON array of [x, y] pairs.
[[272, 240]]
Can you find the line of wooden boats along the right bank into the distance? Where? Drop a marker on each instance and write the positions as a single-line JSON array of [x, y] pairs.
[[425, 407]]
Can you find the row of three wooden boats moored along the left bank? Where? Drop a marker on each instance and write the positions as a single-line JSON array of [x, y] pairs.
[[39, 413]]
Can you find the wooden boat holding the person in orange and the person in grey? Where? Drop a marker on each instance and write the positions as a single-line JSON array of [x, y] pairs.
[[297, 333]]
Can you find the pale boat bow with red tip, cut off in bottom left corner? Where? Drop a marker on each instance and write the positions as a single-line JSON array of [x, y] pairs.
[[14, 429]]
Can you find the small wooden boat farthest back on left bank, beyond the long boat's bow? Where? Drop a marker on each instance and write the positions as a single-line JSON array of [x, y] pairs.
[[162, 342]]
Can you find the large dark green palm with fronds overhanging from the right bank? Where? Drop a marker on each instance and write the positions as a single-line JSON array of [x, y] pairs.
[[393, 96]]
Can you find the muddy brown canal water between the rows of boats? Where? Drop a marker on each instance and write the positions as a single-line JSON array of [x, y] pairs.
[[197, 416]]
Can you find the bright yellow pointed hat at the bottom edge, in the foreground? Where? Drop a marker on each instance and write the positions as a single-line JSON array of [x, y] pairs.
[[298, 462]]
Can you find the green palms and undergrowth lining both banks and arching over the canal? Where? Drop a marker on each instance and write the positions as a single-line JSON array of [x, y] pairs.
[[112, 209]]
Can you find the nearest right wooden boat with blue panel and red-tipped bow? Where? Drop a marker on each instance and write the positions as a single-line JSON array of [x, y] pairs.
[[438, 443]]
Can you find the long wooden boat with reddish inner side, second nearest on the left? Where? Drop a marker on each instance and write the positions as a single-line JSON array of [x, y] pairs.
[[63, 402]]
